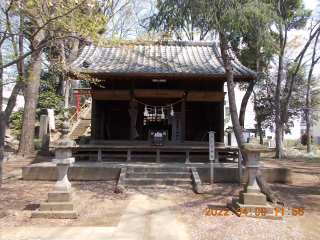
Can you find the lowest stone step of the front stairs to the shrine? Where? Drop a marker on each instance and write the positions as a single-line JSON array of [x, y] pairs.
[[157, 181]]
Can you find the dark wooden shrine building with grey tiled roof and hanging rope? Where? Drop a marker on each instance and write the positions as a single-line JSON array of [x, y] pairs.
[[174, 90]]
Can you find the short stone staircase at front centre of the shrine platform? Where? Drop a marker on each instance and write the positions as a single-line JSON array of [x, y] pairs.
[[148, 177]]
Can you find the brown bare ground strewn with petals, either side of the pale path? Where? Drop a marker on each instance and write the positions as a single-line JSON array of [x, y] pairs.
[[105, 207]]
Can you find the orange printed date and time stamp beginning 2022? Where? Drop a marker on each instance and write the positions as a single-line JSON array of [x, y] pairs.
[[257, 212]]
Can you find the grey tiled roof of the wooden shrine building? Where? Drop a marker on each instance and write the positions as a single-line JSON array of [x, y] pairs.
[[188, 58]]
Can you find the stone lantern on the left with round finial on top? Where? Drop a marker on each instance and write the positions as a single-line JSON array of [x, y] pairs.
[[62, 200]]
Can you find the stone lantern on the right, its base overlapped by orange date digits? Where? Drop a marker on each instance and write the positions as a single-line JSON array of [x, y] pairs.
[[251, 201]]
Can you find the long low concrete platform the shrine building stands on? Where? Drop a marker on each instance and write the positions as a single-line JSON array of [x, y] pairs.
[[93, 171]]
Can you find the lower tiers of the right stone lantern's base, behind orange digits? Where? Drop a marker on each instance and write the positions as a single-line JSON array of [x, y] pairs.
[[254, 211]]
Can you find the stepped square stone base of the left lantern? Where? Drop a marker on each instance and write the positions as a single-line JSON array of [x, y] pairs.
[[61, 204]]
